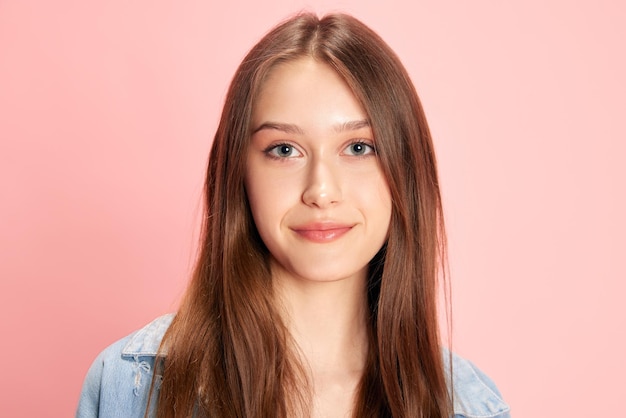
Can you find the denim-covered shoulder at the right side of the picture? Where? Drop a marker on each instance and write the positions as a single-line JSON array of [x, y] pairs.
[[475, 395]]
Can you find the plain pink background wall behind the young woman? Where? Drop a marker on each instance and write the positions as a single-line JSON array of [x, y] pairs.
[[107, 110]]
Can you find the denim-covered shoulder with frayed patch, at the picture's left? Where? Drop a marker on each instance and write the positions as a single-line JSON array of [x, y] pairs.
[[118, 381]]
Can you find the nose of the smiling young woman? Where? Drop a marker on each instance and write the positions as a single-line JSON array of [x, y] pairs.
[[322, 188]]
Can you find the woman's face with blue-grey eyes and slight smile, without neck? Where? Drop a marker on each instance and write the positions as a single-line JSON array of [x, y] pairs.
[[317, 193]]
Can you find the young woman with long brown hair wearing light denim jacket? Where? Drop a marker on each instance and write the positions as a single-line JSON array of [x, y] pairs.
[[314, 294]]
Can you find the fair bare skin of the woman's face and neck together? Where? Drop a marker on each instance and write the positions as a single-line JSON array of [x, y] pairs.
[[322, 207]]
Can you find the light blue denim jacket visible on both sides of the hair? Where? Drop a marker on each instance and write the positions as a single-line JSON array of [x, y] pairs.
[[118, 382]]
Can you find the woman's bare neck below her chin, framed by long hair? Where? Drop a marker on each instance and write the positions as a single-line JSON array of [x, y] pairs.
[[327, 322]]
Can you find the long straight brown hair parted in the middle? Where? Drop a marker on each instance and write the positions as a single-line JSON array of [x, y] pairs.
[[227, 352]]
